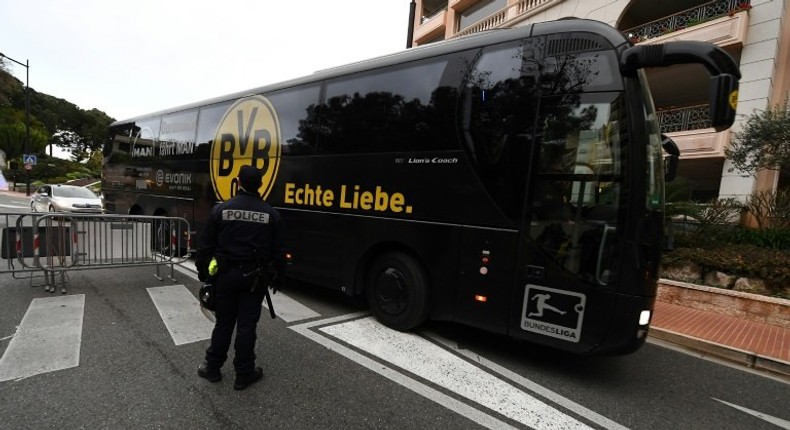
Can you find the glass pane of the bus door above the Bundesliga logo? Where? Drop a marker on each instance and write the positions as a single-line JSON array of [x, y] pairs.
[[578, 182]]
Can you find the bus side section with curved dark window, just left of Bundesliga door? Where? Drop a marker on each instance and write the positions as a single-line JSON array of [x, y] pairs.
[[496, 117]]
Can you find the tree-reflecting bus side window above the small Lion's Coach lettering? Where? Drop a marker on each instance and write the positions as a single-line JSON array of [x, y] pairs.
[[399, 108]]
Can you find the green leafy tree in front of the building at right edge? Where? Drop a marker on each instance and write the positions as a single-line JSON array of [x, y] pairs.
[[763, 143]]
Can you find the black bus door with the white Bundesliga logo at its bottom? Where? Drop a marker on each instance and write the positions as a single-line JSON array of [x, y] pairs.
[[565, 272]]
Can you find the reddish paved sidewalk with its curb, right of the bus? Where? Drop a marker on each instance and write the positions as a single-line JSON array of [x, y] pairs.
[[753, 344]]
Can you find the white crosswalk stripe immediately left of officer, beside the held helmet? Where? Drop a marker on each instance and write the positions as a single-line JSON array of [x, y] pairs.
[[180, 311]]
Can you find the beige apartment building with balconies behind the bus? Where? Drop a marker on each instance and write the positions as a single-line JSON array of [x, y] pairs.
[[755, 32]]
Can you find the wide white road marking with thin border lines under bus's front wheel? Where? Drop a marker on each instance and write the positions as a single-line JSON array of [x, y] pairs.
[[428, 361]]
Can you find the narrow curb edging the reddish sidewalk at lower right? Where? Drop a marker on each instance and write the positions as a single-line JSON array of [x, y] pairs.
[[749, 359]]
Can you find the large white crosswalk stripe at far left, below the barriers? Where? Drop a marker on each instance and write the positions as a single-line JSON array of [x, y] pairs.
[[47, 339]]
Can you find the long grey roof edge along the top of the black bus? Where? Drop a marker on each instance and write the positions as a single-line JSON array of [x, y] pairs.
[[425, 51]]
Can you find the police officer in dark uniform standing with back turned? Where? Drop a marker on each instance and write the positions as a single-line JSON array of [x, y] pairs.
[[245, 235]]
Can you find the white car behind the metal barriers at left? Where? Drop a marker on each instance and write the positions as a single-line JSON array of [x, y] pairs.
[[65, 198]]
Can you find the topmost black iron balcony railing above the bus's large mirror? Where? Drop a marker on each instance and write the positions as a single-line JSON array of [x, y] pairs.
[[687, 18]]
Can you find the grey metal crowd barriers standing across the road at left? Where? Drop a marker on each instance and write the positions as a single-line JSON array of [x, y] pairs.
[[53, 244]]
